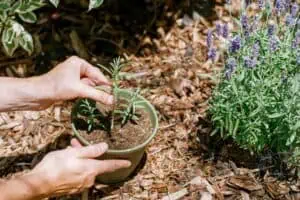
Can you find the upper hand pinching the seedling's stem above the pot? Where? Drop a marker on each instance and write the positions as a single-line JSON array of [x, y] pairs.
[[73, 78]]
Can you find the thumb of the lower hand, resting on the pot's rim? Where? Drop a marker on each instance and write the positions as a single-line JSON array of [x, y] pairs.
[[92, 151]]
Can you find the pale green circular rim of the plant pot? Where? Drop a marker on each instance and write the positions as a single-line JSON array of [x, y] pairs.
[[115, 151]]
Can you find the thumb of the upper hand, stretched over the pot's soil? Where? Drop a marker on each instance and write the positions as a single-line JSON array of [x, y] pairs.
[[92, 93]]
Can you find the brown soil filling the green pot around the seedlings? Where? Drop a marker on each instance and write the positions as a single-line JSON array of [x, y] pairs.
[[121, 137]]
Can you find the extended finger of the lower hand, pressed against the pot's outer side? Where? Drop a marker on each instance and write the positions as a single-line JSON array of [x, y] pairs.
[[107, 166]]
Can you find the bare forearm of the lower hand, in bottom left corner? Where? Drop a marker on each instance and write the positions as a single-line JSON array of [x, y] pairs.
[[28, 187]]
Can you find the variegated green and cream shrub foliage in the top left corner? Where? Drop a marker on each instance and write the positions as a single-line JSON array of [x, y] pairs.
[[15, 12]]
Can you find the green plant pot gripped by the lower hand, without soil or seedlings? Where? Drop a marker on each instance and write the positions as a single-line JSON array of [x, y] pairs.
[[134, 154]]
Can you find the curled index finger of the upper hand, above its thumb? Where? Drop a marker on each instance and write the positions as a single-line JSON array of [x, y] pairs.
[[89, 71]]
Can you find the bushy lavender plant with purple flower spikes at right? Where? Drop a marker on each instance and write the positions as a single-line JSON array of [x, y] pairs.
[[257, 102]]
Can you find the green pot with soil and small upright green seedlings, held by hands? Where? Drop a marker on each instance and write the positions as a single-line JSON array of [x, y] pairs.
[[127, 126]]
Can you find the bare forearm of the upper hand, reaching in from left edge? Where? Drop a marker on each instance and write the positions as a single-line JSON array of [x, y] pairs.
[[22, 94]]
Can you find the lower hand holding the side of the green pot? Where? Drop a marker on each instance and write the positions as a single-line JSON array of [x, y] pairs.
[[74, 169]]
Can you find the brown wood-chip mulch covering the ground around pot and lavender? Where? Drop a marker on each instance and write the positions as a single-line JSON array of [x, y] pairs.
[[182, 161]]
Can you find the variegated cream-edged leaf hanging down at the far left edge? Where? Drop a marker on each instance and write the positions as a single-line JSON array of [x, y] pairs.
[[9, 44]]
